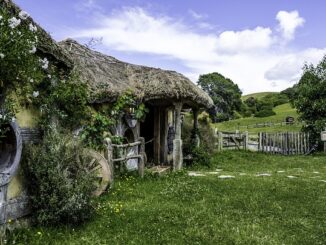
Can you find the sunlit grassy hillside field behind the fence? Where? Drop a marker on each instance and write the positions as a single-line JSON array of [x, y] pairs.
[[282, 111]]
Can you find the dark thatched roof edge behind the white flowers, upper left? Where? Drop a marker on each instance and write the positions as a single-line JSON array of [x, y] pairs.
[[46, 45]]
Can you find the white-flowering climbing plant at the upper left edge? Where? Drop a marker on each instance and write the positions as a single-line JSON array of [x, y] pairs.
[[20, 68]]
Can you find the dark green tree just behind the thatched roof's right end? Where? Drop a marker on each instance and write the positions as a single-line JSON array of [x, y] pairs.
[[225, 93]]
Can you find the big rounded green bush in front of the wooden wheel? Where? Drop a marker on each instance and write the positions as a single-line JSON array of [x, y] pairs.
[[60, 187]]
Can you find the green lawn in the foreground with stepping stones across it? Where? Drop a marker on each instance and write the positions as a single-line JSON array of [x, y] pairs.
[[183, 209]]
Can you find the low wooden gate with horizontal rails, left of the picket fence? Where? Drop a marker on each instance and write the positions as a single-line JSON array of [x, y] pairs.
[[232, 141]]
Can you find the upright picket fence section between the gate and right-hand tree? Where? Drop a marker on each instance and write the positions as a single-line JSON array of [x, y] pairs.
[[289, 143]]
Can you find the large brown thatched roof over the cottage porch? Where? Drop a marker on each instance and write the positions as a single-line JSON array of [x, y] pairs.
[[110, 77]]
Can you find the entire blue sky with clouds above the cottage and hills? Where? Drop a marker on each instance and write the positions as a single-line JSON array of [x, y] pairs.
[[260, 45]]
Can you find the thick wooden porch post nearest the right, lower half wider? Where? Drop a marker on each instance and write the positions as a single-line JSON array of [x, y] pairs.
[[177, 142]]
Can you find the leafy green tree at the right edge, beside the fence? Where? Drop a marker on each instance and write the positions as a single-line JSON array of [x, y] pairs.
[[310, 98]]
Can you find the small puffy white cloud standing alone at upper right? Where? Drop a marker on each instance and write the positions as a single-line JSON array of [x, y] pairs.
[[288, 23]]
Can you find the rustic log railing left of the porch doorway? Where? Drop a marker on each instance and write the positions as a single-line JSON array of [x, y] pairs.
[[111, 148]]
